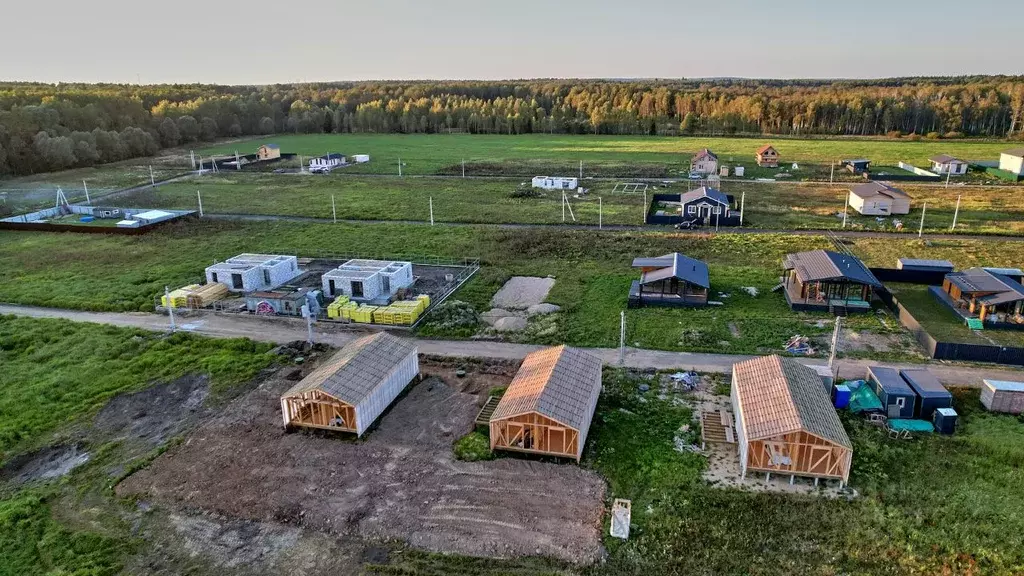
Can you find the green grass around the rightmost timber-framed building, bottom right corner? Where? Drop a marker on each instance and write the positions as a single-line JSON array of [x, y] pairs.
[[932, 506]]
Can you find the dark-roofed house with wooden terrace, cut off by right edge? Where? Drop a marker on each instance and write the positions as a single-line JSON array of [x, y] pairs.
[[987, 295]]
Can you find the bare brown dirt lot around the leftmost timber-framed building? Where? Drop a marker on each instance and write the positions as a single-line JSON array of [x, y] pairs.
[[400, 482]]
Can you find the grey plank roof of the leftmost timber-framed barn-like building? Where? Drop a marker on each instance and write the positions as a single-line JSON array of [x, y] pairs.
[[356, 372]]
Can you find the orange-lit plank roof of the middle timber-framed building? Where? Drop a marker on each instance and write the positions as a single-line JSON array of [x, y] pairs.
[[556, 383]]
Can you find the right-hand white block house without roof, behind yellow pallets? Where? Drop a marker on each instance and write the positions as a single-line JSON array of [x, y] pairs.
[[368, 281]]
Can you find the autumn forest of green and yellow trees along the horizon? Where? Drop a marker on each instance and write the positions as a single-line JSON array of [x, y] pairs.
[[47, 128]]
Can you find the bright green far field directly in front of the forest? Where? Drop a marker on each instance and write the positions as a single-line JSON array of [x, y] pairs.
[[431, 154]]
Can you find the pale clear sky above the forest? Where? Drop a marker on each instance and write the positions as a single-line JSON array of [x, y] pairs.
[[272, 42]]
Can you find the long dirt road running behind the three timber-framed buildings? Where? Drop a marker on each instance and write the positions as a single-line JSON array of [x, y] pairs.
[[282, 331]]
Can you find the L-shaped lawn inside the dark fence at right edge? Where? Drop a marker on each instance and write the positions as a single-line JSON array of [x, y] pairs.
[[946, 326]]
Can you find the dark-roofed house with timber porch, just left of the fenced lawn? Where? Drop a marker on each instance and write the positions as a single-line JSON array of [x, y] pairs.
[[826, 281]]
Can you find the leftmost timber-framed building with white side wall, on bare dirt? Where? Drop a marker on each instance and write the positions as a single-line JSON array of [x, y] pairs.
[[353, 389]]
